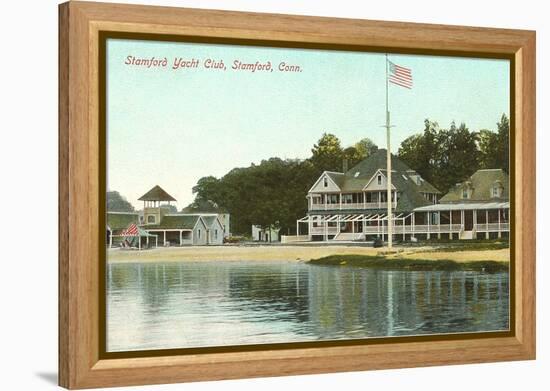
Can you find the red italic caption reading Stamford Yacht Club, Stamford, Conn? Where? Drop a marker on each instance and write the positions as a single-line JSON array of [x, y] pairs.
[[180, 63]]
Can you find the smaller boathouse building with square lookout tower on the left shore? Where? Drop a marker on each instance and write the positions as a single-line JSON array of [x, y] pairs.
[[156, 225]]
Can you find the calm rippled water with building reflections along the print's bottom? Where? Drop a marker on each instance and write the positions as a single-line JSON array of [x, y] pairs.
[[177, 305]]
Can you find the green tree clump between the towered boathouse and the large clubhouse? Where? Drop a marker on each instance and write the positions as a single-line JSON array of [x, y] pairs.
[[273, 192]]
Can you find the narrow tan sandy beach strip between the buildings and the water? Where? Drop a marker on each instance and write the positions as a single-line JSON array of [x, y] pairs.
[[296, 253]]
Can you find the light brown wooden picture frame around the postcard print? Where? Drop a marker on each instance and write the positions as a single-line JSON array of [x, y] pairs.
[[81, 364]]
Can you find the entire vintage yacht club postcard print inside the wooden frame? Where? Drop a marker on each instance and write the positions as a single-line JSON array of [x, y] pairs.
[[262, 195]]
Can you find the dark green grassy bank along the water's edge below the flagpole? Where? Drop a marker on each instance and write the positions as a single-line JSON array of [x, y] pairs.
[[395, 263]]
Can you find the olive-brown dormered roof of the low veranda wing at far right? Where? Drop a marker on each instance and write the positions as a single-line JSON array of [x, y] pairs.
[[481, 184]]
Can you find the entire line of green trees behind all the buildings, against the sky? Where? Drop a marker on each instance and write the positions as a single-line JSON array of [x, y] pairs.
[[272, 193]]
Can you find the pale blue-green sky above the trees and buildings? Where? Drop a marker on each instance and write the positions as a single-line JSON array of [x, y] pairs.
[[170, 127]]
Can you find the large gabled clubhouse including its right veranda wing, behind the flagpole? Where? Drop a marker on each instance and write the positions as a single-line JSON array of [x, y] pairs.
[[352, 205]]
